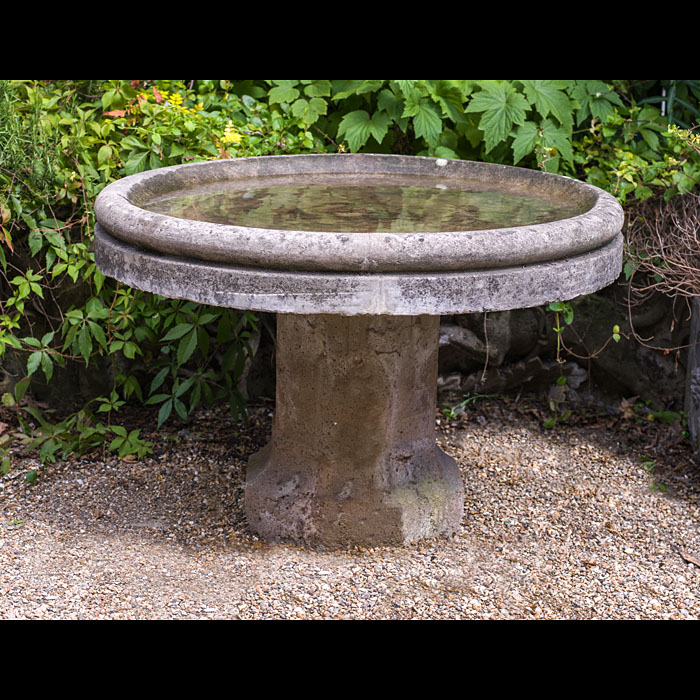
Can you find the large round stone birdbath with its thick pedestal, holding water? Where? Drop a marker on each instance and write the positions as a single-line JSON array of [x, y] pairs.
[[358, 255]]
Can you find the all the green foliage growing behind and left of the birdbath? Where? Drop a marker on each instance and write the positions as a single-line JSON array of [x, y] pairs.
[[61, 142]]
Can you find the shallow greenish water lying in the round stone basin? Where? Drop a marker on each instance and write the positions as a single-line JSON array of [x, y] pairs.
[[369, 205]]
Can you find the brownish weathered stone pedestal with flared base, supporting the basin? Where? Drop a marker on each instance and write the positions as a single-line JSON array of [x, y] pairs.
[[353, 458]]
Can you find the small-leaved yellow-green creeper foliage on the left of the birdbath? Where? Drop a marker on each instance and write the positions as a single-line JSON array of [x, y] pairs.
[[61, 142]]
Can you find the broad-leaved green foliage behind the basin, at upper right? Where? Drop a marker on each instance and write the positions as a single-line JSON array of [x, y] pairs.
[[611, 133]]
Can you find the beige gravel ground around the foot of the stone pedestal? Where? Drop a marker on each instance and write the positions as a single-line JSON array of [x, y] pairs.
[[559, 524]]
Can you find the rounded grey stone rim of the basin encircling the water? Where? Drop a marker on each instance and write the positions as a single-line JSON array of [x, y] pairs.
[[119, 209]]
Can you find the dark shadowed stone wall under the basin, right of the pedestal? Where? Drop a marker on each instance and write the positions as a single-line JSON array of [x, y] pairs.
[[516, 351]]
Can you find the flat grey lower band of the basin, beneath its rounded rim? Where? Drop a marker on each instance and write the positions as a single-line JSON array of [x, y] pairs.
[[290, 292]]
